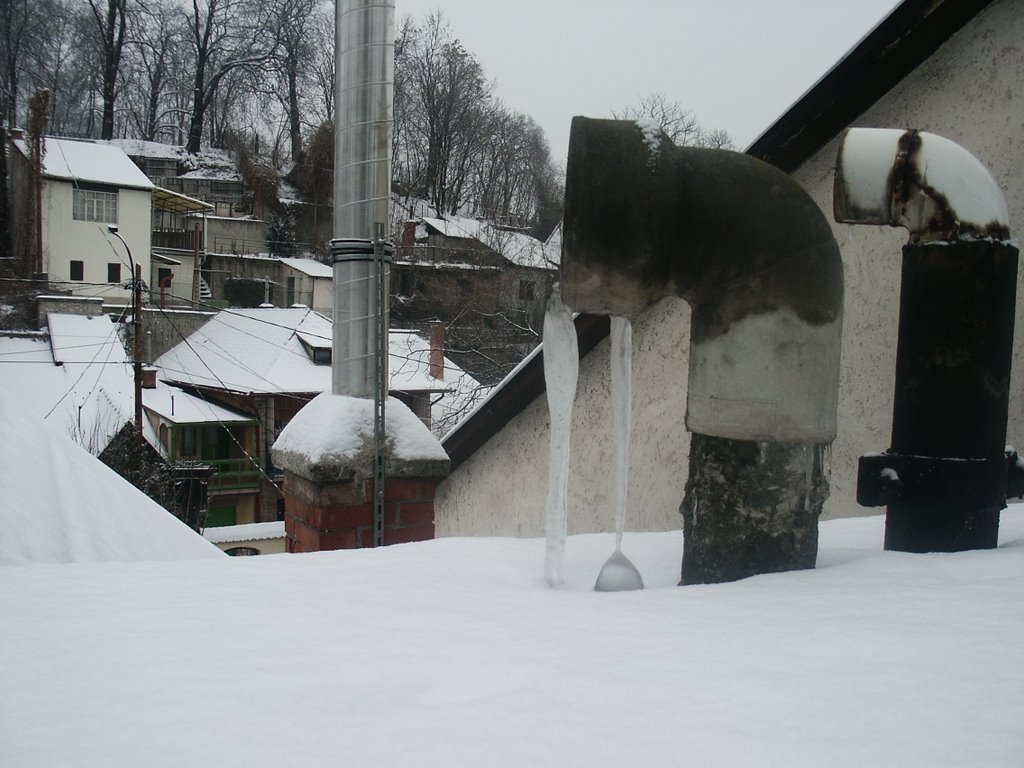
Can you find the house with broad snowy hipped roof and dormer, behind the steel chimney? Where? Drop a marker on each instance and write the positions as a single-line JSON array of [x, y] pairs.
[[269, 363]]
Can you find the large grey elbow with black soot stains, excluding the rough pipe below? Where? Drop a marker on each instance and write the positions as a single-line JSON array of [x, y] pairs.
[[737, 238]]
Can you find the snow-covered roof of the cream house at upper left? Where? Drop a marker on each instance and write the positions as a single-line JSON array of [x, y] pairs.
[[86, 161]]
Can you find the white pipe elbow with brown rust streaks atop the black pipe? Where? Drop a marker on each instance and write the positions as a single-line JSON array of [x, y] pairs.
[[924, 183]]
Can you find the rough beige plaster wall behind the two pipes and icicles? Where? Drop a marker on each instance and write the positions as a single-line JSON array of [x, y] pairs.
[[968, 92]]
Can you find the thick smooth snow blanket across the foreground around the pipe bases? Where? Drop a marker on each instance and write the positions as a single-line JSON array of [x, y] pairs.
[[454, 653]]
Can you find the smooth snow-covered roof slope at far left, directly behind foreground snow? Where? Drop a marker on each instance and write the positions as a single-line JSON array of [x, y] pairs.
[[62, 505]]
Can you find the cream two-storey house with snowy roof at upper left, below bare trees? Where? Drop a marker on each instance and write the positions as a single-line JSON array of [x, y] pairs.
[[88, 189]]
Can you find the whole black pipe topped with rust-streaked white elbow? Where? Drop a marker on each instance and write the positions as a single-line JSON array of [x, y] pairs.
[[945, 479]]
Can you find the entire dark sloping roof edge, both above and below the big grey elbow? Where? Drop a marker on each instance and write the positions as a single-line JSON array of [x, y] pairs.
[[888, 54]]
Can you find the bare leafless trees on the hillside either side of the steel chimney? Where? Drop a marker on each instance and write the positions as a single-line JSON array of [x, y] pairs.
[[257, 78]]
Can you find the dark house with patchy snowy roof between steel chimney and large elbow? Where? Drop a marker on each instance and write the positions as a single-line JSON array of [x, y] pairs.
[[488, 284]]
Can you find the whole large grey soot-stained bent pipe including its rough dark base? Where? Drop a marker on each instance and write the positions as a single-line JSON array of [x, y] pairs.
[[755, 259]]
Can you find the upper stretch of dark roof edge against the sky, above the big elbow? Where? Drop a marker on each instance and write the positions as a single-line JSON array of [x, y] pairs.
[[888, 54]]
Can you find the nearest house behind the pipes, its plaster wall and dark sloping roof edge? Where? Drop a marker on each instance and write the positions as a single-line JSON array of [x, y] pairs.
[[940, 66]]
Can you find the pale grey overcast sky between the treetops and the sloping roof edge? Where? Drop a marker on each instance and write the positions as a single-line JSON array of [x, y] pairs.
[[737, 64]]
